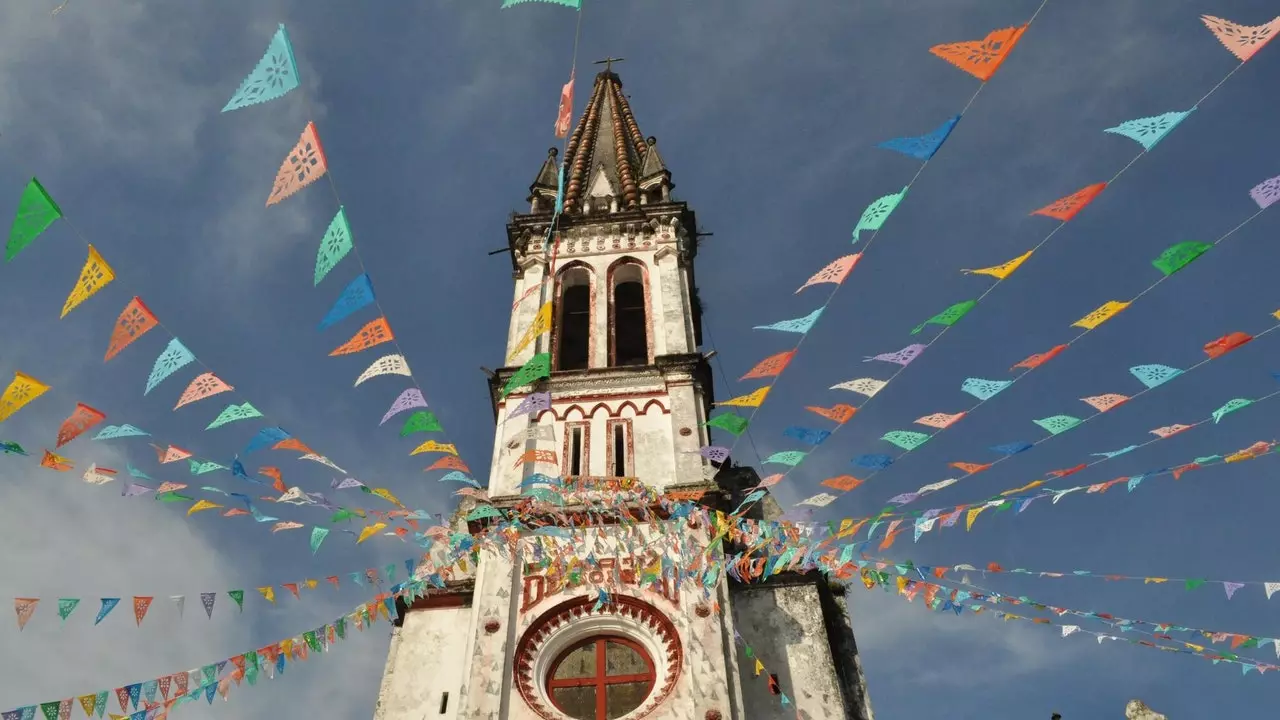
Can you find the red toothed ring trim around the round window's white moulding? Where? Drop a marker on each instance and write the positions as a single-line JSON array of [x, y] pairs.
[[577, 609]]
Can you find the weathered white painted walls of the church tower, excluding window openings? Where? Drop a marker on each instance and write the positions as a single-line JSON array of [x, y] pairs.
[[486, 651]]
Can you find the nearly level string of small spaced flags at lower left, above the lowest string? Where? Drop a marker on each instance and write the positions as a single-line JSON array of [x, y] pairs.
[[26, 608]]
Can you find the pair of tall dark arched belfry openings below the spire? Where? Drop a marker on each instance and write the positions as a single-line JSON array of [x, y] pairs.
[[628, 317]]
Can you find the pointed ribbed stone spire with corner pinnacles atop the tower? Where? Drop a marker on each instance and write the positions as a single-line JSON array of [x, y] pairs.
[[609, 162]]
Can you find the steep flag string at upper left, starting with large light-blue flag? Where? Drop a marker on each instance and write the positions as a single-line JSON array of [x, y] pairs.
[[275, 76]]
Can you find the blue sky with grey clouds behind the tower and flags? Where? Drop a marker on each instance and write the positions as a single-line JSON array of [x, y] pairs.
[[436, 119]]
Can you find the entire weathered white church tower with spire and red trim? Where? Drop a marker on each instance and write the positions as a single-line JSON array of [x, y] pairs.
[[619, 631]]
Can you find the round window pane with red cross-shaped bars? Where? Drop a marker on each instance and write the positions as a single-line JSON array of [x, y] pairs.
[[601, 678]]
